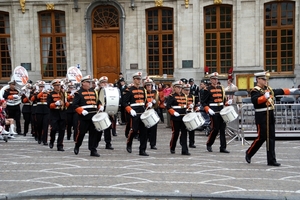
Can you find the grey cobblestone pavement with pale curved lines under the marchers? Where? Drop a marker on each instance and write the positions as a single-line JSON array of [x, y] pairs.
[[34, 171]]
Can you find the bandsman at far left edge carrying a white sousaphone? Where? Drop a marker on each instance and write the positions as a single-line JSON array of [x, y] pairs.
[[11, 95]]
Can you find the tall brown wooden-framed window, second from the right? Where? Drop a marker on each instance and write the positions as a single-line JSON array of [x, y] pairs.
[[218, 38]]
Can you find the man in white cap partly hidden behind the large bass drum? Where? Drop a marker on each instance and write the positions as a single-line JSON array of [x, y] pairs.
[[103, 81]]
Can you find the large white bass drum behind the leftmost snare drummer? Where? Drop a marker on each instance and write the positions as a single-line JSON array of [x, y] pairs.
[[110, 97]]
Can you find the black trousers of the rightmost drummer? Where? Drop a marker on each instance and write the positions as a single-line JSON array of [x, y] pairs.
[[217, 125]]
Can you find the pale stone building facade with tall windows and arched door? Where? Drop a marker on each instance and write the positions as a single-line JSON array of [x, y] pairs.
[[126, 40]]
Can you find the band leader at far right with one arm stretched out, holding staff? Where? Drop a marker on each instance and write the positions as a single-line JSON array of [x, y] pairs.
[[262, 97]]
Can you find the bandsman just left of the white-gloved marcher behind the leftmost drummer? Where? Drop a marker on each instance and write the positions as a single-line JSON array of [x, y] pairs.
[[42, 113]]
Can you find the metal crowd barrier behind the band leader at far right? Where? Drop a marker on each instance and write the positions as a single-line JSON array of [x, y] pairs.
[[287, 118]]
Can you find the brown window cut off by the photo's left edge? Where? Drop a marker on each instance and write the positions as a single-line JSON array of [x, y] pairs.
[[5, 51]]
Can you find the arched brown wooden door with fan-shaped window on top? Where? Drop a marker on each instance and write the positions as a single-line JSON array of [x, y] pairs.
[[106, 42]]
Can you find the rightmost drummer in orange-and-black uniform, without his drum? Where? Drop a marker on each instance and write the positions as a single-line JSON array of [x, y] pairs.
[[213, 101]]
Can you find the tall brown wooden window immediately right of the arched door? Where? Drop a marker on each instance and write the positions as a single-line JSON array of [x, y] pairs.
[[160, 41]]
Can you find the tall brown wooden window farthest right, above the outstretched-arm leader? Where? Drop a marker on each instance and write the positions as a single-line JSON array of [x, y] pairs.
[[279, 35]]
